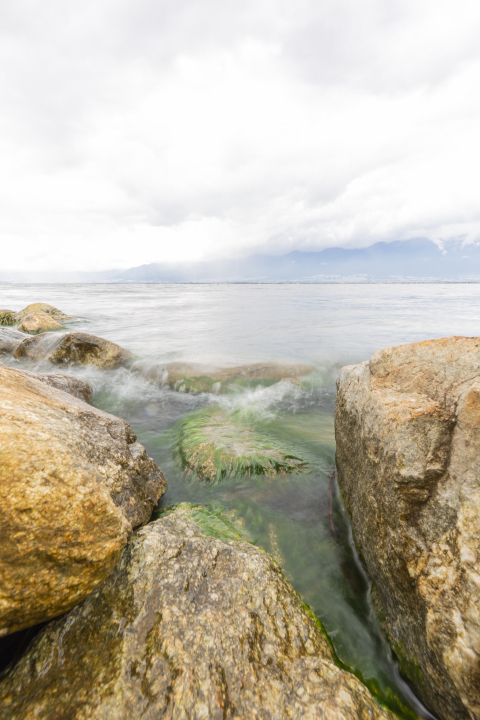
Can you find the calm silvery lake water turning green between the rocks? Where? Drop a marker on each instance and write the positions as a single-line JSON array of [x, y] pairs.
[[298, 519]]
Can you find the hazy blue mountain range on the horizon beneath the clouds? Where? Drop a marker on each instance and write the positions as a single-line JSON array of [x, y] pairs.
[[399, 261]]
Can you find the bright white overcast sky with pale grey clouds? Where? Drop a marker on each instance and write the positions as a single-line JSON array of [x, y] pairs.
[[137, 131]]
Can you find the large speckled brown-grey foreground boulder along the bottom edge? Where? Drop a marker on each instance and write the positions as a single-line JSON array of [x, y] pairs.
[[186, 626]]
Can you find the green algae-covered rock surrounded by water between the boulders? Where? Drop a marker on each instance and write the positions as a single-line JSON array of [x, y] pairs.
[[214, 445]]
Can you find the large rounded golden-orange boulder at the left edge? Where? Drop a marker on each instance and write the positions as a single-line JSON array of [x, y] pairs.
[[73, 484]]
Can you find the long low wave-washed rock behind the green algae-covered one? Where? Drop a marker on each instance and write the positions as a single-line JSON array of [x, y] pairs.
[[191, 377]]
